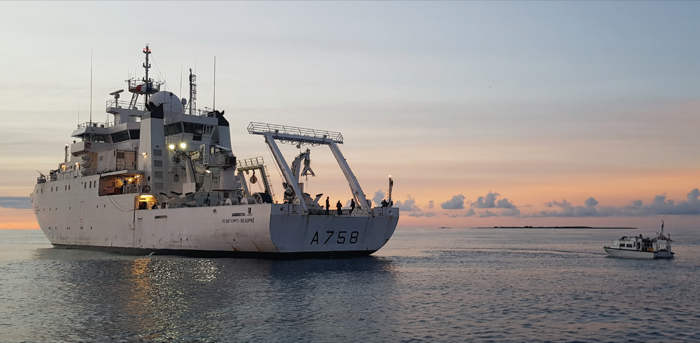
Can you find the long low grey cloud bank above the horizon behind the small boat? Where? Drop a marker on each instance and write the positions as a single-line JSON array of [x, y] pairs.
[[592, 208]]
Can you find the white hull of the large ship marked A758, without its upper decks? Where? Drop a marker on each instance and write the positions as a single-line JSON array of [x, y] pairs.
[[105, 223]]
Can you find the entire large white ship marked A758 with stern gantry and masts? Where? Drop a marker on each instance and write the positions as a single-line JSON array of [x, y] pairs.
[[162, 177]]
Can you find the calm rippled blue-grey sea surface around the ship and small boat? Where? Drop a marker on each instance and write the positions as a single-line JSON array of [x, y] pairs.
[[426, 285]]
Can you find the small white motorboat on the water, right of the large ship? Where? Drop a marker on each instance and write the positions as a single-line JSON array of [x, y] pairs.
[[642, 248]]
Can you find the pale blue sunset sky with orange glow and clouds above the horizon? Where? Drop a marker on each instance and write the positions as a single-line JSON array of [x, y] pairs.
[[484, 113]]
